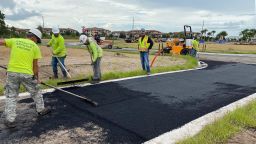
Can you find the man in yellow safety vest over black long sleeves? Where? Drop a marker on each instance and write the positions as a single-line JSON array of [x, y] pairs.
[[145, 44]]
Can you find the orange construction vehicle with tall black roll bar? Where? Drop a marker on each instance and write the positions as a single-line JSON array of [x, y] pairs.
[[179, 46]]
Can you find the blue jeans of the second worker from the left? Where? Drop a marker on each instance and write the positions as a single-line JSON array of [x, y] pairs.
[[54, 66]]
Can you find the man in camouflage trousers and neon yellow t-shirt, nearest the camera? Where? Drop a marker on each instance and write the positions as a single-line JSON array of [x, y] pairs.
[[22, 69]]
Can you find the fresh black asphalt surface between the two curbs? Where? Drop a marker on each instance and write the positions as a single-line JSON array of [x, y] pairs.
[[137, 110]]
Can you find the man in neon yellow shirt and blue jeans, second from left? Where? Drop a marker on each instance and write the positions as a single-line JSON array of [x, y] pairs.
[[59, 52]]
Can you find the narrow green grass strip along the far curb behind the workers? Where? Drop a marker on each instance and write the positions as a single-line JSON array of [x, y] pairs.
[[190, 63]]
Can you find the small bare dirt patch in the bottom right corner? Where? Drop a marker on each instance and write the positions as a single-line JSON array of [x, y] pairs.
[[247, 136]]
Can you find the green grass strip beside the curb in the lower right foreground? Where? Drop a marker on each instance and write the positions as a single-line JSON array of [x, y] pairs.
[[223, 129]]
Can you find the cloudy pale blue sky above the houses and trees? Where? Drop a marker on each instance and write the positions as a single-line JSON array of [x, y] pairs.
[[163, 15]]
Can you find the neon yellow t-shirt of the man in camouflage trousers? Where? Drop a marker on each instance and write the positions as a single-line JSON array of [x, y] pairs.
[[23, 52]]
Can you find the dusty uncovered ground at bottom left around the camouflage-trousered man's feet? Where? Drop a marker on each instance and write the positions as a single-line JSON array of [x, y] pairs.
[[27, 117]]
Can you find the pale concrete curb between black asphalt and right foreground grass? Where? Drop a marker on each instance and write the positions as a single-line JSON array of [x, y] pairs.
[[194, 127]]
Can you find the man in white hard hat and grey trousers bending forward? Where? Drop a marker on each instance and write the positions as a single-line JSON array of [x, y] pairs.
[[96, 53]]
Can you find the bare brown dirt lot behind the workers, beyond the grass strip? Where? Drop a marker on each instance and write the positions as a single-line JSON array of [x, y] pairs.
[[78, 62]]
